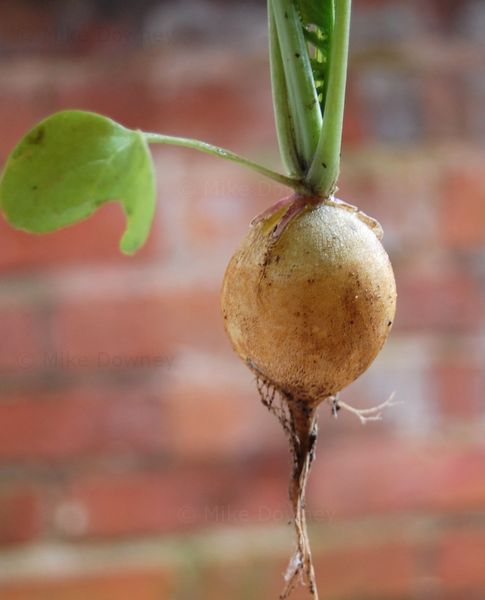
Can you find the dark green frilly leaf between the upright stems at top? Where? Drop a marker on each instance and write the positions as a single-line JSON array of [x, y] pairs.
[[317, 19]]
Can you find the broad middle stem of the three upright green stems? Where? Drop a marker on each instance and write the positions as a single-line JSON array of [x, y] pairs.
[[302, 96]]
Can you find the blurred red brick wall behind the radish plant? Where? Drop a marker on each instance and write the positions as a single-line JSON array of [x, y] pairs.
[[136, 461]]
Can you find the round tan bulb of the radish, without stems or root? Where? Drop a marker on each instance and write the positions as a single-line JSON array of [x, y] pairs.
[[310, 310]]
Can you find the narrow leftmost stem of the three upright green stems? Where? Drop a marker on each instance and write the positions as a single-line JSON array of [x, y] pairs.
[[284, 126]]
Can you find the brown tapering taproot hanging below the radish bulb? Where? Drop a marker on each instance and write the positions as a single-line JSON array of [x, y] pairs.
[[298, 420]]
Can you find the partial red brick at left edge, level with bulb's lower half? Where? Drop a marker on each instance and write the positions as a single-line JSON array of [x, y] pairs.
[[22, 338]]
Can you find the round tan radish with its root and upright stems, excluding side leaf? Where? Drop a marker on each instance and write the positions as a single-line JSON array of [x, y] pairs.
[[309, 297]]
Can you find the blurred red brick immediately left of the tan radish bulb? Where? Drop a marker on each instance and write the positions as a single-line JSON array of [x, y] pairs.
[[140, 328]]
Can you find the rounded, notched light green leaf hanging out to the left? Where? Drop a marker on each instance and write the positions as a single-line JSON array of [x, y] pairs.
[[70, 164]]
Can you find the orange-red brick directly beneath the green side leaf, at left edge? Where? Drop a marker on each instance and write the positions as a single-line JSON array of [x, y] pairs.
[[94, 240]]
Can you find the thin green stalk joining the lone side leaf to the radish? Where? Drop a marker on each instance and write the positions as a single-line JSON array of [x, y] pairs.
[[159, 138]]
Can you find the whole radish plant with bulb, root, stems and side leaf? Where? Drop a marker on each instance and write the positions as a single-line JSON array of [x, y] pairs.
[[309, 296]]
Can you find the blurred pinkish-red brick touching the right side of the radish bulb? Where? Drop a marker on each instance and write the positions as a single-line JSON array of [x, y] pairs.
[[445, 301]]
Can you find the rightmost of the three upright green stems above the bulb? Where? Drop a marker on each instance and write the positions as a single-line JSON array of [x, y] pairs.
[[323, 174]]
